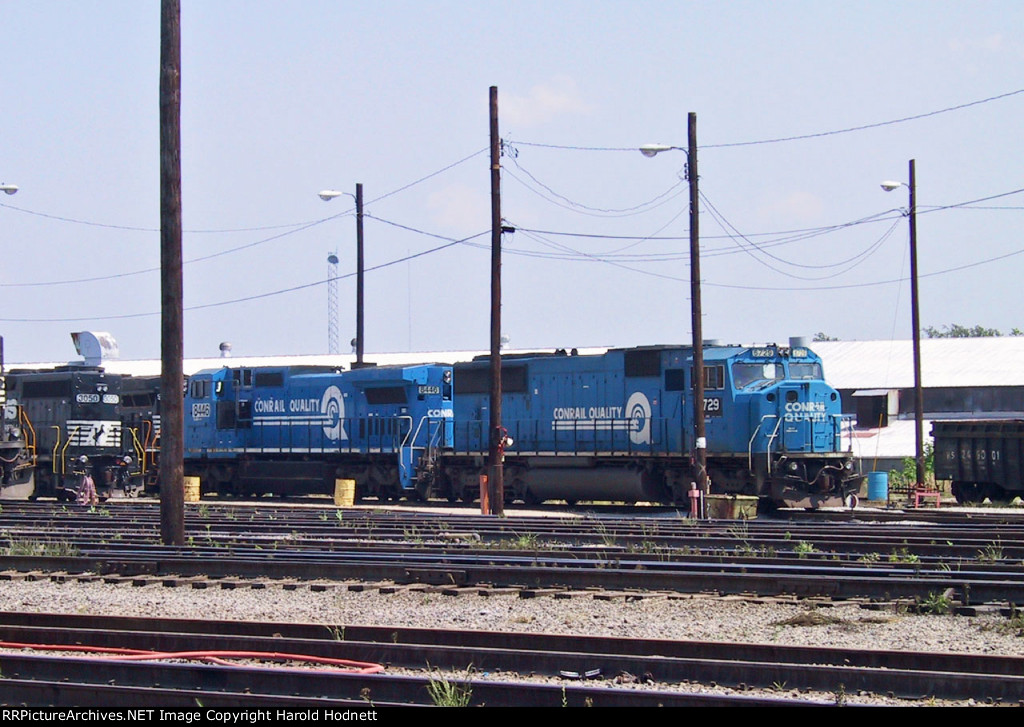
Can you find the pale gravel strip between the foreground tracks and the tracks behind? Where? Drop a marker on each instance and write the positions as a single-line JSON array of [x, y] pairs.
[[697, 619]]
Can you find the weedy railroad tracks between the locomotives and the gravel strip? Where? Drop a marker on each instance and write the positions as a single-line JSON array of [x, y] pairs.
[[969, 563]]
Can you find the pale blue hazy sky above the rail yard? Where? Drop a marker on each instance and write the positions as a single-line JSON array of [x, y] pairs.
[[283, 100]]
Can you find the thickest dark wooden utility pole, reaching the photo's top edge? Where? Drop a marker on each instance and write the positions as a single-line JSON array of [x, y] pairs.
[[173, 523]]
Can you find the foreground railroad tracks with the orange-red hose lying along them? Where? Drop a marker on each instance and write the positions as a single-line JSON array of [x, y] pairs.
[[659, 670]]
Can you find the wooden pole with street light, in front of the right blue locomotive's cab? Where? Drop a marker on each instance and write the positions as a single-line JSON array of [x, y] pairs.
[[700, 438]]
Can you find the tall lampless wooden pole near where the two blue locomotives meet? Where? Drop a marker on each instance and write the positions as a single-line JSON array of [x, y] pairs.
[[496, 477]]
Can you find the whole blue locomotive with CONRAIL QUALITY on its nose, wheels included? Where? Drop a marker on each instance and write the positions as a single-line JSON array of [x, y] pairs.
[[620, 426]]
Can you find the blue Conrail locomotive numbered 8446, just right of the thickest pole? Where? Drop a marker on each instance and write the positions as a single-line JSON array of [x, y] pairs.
[[294, 431]]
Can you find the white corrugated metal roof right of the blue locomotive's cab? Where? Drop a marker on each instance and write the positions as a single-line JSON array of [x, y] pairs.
[[945, 363]]
